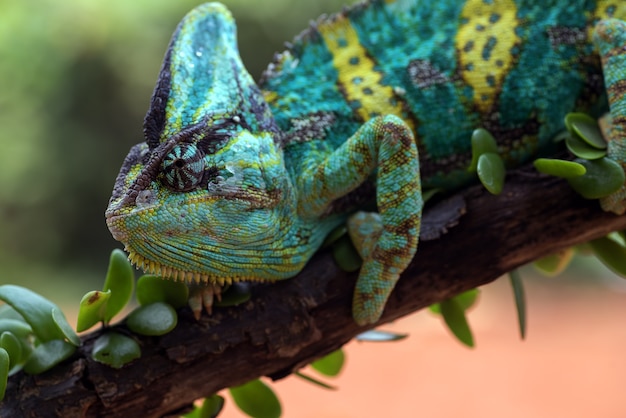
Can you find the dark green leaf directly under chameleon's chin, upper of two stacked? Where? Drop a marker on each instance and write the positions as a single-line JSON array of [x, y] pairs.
[[152, 289]]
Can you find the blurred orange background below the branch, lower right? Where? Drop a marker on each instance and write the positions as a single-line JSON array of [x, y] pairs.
[[571, 364]]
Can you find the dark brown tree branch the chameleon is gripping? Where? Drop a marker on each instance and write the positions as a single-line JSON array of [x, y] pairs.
[[287, 325]]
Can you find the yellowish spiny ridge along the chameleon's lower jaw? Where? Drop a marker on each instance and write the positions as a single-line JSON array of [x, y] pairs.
[[171, 273]]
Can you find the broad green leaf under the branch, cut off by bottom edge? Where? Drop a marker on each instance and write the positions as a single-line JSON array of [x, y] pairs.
[[256, 399]]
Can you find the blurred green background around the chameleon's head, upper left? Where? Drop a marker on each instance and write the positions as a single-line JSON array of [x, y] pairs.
[[75, 81]]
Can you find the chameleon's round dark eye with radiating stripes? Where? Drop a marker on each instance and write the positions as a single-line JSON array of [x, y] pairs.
[[183, 167]]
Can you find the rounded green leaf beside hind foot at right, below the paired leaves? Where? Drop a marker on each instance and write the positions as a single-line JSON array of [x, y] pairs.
[[604, 176]]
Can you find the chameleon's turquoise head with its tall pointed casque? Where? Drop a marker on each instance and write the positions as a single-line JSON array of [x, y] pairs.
[[206, 196]]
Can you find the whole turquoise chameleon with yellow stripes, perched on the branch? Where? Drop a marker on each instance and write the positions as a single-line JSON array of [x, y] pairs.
[[243, 181]]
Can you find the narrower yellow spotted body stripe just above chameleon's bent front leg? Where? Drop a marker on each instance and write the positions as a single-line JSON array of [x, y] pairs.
[[359, 80]]
